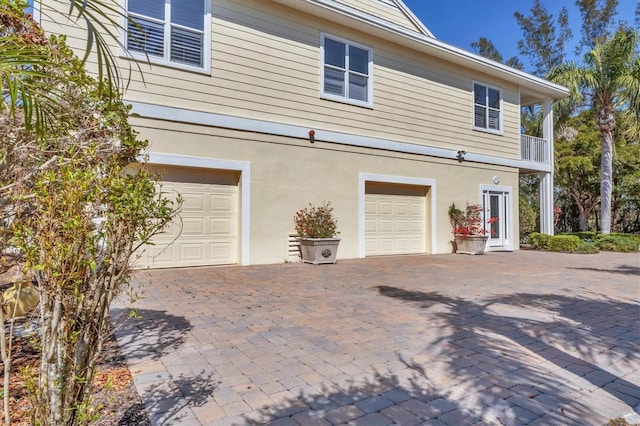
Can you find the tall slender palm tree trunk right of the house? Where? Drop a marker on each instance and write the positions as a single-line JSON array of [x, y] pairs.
[[607, 123]]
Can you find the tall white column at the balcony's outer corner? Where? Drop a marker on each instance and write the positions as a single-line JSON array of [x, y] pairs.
[[546, 179]]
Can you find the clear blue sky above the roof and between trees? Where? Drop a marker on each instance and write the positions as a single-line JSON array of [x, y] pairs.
[[460, 22]]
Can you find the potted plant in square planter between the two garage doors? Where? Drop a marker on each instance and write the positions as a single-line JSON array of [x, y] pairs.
[[317, 230]]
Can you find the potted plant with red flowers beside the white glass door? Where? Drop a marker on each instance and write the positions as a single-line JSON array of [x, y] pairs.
[[470, 234]]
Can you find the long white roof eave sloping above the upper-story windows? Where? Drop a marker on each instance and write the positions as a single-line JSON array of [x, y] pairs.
[[431, 46]]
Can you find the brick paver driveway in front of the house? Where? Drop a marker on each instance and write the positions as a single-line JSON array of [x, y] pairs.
[[507, 338]]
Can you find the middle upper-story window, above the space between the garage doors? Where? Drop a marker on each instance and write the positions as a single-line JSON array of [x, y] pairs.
[[346, 71]]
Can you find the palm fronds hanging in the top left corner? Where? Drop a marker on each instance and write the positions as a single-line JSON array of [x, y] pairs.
[[23, 60]]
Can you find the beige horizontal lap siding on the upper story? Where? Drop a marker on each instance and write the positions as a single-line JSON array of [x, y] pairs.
[[266, 65]]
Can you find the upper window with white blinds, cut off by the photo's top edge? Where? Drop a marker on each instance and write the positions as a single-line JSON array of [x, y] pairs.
[[170, 31]]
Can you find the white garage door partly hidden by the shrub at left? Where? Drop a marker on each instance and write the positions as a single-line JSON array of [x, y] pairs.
[[206, 231]]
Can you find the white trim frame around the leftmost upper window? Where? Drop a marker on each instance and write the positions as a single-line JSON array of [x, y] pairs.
[[164, 61]]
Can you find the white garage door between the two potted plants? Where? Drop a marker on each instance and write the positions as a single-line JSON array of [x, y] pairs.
[[395, 219]]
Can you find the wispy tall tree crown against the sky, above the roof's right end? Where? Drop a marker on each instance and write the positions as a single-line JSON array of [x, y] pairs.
[[541, 44]]
